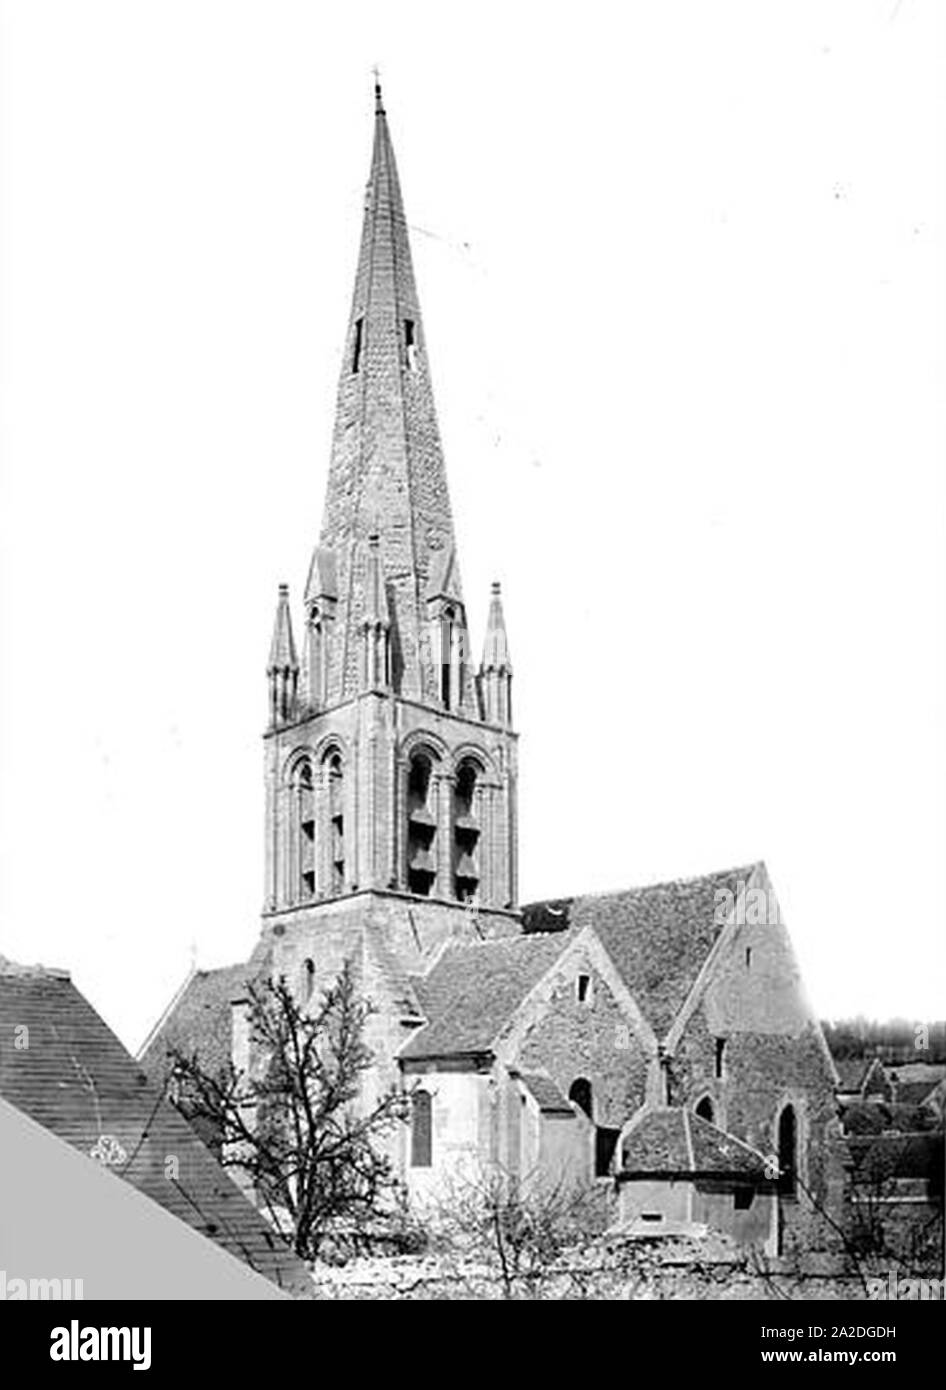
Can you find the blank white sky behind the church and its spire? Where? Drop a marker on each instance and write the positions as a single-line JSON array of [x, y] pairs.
[[686, 298]]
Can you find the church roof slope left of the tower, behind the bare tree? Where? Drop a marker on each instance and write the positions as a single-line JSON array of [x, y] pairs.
[[199, 1022]]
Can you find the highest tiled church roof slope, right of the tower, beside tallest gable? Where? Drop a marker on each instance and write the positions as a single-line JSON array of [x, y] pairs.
[[658, 938]]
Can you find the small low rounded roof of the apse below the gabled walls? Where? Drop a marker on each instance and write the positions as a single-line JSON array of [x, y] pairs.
[[674, 1142]]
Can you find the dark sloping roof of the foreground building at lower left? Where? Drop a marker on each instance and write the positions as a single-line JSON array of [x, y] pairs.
[[77, 1079]]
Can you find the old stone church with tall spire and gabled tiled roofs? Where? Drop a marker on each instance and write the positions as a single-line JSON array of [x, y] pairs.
[[656, 1040]]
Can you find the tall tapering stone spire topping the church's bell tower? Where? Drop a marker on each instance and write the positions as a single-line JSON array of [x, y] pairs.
[[387, 473]]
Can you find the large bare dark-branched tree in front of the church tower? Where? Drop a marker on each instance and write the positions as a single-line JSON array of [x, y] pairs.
[[298, 1124]]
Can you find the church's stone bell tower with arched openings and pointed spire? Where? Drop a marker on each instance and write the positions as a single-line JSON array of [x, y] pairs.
[[391, 761]]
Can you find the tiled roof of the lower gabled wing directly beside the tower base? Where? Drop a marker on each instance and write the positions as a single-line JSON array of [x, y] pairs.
[[474, 990]]
